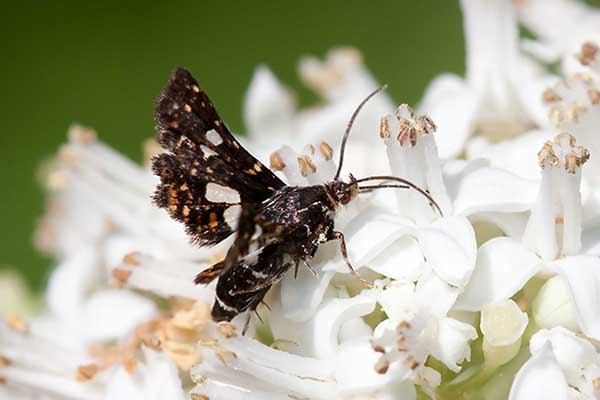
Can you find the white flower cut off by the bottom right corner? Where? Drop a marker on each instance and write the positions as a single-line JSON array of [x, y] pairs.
[[562, 366]]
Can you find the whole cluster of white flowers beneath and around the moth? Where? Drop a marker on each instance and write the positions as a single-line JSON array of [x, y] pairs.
[[493, 295]]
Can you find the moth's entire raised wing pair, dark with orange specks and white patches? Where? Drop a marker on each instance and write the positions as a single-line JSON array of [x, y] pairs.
[[207, 176]]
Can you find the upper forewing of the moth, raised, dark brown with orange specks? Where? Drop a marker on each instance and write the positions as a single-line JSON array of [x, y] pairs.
[[183, 110]]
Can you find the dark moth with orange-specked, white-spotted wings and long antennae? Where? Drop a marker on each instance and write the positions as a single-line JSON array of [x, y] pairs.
[[210, 183]]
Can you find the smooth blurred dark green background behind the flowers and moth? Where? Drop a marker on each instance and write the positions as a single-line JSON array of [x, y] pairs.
[[102, 64]]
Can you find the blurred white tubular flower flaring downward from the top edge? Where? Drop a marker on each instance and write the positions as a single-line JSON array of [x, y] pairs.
[[499, 96]]
